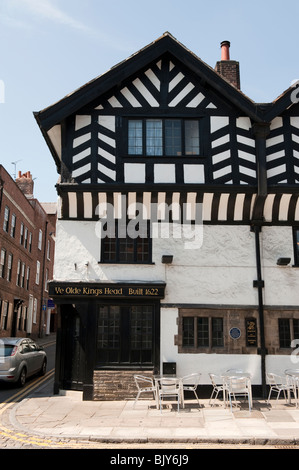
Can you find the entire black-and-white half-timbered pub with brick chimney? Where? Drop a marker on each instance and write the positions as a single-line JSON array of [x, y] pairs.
[[177, 237]]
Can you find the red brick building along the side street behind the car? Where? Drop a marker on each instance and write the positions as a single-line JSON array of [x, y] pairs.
[[26, 260]]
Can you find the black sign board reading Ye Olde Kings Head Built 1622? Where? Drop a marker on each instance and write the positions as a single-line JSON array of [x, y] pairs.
[[107, 290]]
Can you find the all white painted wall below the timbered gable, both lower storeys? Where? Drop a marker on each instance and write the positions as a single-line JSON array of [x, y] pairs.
[[220, 269]]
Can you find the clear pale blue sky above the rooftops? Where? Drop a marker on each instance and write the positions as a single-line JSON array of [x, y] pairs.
[[49, 48]]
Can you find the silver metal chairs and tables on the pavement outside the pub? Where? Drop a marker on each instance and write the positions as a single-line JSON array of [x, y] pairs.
[[228, 388]]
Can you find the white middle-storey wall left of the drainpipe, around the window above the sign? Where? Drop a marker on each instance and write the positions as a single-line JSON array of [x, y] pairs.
[[219, 267]]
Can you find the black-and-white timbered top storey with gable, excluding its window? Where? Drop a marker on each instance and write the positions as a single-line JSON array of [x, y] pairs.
[[86, 132]]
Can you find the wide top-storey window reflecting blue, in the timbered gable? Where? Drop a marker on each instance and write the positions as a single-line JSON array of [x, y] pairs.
[[164, 137]]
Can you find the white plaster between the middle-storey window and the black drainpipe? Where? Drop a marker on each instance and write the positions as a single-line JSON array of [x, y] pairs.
[[219, 269]]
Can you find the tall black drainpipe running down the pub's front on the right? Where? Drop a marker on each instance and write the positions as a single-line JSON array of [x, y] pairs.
[[260, 131]]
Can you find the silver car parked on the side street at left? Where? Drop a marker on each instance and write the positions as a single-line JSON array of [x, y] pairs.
[[21, 358]]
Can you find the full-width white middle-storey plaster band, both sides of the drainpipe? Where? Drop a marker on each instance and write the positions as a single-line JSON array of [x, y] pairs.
[[215, 267]]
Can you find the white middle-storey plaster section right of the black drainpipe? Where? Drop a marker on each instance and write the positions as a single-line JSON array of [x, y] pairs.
[[281, 282]]
